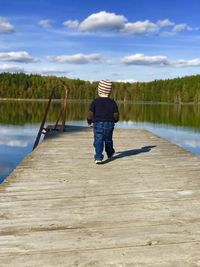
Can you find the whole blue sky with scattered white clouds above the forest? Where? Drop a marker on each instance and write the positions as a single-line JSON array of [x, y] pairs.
[[129, 40]]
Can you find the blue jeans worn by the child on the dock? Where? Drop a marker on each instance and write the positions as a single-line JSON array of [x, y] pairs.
[[103, 132]]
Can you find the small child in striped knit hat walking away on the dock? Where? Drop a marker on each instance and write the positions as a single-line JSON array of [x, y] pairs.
[[103, 113]]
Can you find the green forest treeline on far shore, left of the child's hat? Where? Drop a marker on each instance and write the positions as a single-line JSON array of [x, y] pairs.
[[20, 85]]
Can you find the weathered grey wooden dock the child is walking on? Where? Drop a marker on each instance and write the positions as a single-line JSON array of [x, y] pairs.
[[142, 208]]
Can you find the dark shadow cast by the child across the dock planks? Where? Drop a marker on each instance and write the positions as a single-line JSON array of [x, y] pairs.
[[128, 153]]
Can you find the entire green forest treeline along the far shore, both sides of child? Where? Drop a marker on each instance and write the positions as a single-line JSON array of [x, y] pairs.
[[179, 90]]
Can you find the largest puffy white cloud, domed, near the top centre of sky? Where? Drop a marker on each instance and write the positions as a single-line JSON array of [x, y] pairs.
[[102, 21]]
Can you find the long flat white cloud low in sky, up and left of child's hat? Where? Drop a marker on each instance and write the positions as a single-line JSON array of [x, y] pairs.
[[76, 58]]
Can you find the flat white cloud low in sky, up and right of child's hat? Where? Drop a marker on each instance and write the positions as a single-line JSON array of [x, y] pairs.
[[141, 59]]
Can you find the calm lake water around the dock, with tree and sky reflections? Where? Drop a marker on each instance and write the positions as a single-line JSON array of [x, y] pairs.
[[19, 123]]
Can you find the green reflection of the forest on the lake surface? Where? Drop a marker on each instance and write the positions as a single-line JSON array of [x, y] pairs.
[[19, 113]]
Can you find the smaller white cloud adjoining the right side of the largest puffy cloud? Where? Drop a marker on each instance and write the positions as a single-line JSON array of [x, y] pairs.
[[140, 27]]
